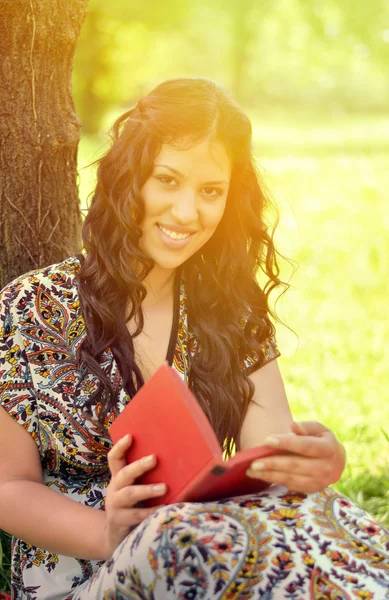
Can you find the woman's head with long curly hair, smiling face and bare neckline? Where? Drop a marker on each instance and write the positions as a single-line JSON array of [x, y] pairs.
[[178, 197]]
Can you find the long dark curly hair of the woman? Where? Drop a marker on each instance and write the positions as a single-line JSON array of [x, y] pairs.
[[228, 311]]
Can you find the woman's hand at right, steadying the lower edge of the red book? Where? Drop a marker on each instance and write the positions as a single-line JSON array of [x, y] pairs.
[[310, 459]]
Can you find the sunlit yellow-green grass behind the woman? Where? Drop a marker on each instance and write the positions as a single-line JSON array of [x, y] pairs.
[[330, 176]]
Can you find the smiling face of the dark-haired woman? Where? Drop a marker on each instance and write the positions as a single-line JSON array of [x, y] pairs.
[[184, 200]]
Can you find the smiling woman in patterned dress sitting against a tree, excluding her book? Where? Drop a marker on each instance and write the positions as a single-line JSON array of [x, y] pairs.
[[174, 238]]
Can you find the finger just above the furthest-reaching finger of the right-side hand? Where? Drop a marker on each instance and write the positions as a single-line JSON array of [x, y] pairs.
[[305, 445]]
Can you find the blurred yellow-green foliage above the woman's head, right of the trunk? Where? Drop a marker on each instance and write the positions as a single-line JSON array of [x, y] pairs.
[[331, 54]]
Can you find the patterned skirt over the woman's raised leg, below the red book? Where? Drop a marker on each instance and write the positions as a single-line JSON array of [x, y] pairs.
[[277, 545]]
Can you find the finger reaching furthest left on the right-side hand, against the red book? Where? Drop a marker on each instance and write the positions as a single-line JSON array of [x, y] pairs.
[[292, 464]]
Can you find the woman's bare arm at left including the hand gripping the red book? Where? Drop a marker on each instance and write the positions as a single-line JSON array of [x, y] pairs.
[[46, 518]]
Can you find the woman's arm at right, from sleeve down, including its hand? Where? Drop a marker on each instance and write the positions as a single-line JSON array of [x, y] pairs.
[[309, 457]]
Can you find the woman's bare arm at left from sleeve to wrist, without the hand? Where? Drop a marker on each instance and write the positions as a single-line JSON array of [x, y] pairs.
[[35, 513]]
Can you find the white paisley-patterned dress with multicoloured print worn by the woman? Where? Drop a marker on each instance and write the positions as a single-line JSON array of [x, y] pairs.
[[271, 546]]
